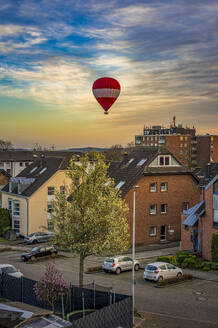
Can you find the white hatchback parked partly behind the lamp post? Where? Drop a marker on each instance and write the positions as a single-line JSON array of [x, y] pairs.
[[119, 263]]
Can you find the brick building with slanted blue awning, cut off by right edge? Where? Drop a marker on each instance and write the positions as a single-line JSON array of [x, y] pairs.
[[201, 221]]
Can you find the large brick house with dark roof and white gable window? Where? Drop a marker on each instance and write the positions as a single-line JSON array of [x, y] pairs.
[[165, 189]]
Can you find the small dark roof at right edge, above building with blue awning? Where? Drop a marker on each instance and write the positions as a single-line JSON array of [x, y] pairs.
[[207, 173]]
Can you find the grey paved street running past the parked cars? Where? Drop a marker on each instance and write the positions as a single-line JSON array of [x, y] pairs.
[[195, 300]]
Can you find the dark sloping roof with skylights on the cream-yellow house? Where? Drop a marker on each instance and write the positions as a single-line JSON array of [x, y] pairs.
[[39, 171]]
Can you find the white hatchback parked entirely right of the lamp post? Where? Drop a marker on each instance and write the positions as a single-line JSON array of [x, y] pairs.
[[158, 271]]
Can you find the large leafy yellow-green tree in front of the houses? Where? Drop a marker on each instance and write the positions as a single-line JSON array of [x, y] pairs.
[[90, 218]]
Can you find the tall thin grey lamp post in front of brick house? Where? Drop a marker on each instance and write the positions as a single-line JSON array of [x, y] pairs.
[[133, 253]]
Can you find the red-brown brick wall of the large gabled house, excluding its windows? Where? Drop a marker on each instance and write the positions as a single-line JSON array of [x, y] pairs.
[[181, 188]]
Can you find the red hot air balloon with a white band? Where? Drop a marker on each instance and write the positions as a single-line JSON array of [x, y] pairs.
[[106, 91]]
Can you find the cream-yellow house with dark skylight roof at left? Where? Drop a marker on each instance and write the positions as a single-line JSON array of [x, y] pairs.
[[29, 195]]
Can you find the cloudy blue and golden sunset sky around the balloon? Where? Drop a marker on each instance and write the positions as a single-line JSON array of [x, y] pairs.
[[164, 54]]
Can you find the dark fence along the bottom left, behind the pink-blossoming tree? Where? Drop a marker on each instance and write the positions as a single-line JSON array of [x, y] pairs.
[[114, 310]]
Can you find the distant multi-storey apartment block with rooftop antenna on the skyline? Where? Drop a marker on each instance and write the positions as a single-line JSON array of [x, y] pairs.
[[190, 149]]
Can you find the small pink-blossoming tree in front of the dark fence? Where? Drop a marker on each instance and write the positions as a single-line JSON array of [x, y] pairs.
[[51, 286]]
